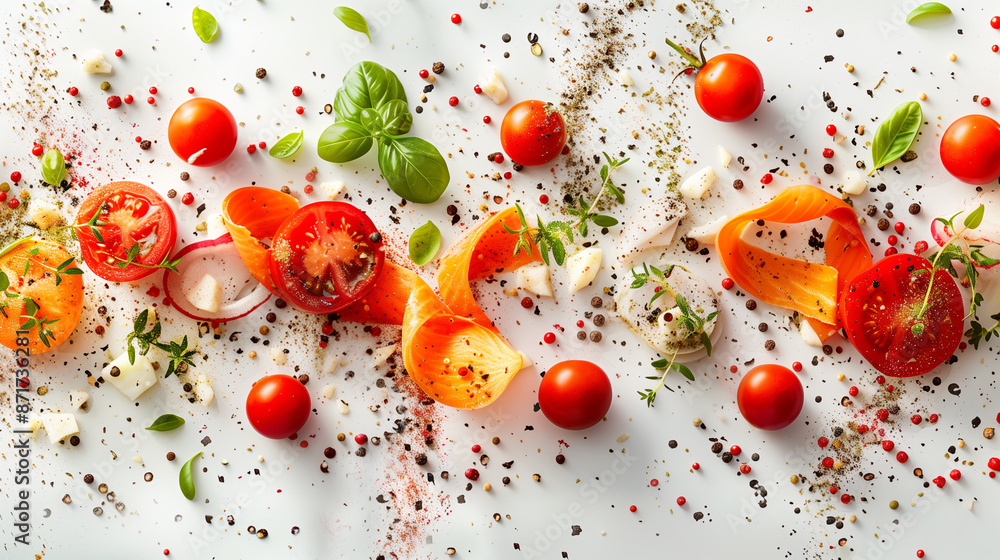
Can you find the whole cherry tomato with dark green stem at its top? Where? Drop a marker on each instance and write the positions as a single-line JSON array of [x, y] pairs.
[[729, 87]]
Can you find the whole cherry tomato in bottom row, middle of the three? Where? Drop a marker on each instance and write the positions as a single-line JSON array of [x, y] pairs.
[[575, 394]]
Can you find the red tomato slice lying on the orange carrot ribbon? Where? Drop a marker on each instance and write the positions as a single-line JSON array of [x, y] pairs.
[[325, 256]]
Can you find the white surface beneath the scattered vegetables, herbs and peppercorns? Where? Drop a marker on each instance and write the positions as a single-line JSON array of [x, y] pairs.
[[337, 513]]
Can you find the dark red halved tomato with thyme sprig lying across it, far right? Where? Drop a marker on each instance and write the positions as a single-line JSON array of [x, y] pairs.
[[881, 315]]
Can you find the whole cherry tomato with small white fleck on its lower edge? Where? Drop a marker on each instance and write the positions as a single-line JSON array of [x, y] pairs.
[[202, 132]]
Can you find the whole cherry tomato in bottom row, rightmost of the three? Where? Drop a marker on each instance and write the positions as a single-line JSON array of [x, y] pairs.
[[770, 397]]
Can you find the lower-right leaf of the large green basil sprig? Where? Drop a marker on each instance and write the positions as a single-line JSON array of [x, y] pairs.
[[413, 168]]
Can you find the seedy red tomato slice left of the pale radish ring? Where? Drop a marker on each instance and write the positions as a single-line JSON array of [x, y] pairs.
[[125, 230]]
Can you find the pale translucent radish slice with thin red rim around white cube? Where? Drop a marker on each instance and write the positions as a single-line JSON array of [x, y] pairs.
[[241, 292]]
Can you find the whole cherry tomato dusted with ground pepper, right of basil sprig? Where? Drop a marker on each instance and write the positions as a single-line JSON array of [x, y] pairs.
[[533, 133]]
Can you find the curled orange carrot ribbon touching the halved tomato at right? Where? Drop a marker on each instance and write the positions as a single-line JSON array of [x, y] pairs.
[[811, 289]]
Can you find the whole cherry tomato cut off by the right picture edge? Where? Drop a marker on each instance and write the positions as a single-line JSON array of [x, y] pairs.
[[970, 149]]
